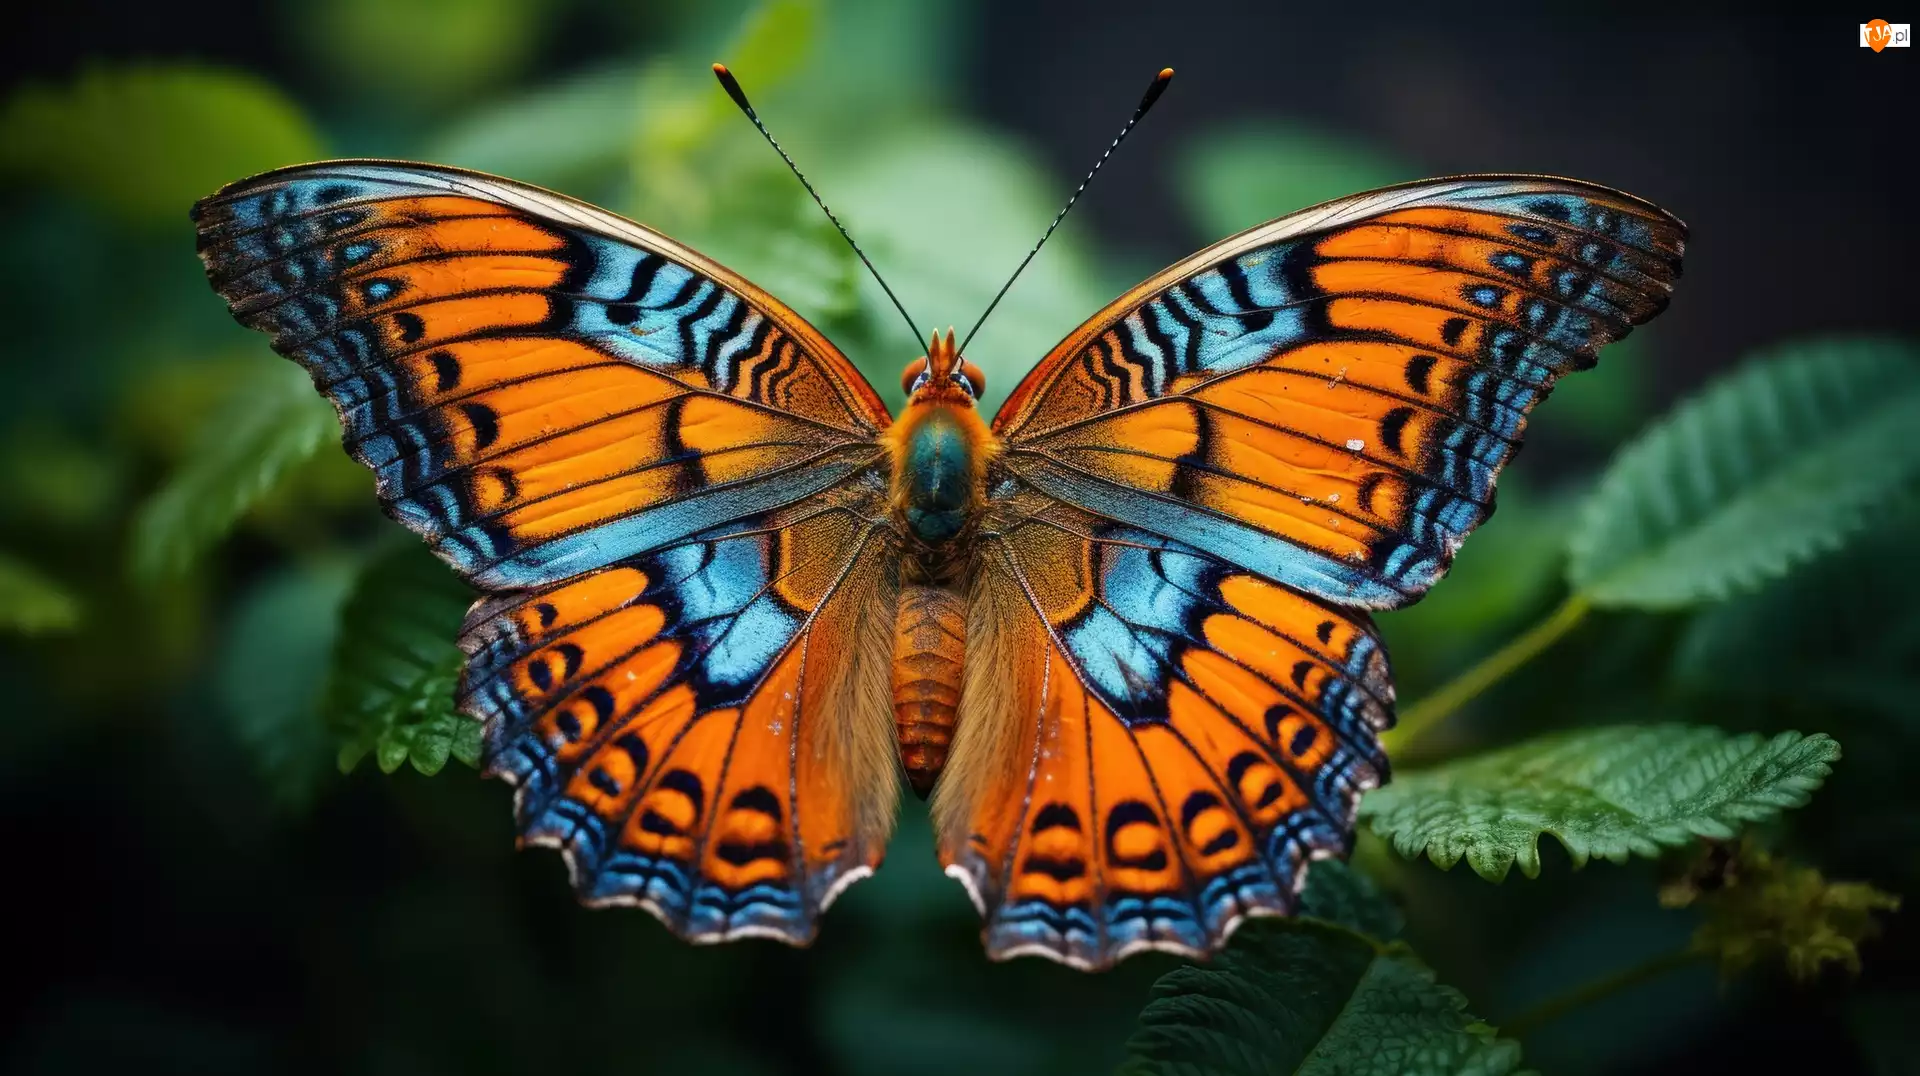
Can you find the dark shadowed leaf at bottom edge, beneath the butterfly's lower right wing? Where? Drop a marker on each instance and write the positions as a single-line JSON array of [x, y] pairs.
[[1308, 998]]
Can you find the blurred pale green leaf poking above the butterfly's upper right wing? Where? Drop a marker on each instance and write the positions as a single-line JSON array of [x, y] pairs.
[[1241, 176]]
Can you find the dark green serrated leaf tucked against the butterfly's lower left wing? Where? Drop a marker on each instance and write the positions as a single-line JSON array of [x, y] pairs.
[[396, 666]]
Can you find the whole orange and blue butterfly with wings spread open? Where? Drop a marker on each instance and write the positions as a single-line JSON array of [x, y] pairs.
[[1120, 633]]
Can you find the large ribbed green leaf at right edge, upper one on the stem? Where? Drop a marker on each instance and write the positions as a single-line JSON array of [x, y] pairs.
[[1765, 470]]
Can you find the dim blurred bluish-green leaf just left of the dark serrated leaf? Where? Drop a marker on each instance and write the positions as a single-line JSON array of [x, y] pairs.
[[272, 670]]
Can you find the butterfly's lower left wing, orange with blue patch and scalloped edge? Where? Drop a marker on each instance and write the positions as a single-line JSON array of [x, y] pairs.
[[706, 731]]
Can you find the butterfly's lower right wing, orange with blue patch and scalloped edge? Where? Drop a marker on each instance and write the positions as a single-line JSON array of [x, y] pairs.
[[1189, 739]]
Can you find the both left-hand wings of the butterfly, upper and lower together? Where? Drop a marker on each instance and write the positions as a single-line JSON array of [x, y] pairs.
[[665, 481]]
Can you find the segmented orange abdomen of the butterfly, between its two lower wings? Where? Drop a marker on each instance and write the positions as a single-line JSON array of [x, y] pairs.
[[928, 650]]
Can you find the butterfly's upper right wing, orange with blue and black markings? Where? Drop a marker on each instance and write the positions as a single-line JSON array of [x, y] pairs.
[[1328, 401]]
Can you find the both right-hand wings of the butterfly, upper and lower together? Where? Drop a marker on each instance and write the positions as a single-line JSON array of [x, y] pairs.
[[1197, 499]]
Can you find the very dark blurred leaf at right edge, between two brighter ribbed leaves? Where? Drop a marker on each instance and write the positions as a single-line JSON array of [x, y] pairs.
[[1842, 631]]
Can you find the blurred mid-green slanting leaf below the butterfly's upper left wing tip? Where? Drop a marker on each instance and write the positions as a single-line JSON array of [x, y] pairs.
[[272, 424]]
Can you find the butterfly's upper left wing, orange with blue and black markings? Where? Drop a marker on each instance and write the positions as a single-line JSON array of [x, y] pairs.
[[540, 387]]
